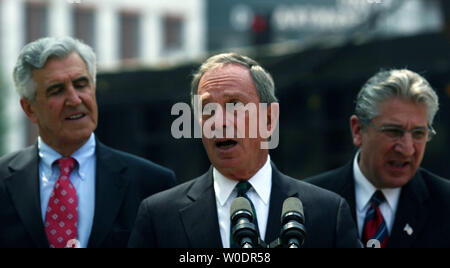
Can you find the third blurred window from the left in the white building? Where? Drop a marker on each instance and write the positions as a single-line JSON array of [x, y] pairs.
[[129, 41]]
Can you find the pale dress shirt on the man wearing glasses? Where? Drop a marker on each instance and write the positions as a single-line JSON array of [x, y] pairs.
[[364, 191]]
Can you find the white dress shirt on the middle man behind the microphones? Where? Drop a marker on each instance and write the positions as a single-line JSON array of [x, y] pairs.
[[259, 194]]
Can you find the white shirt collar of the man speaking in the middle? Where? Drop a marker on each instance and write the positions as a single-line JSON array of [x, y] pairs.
[[261, 182]]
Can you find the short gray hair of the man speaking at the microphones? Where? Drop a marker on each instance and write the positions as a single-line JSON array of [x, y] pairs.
[[263, 80]]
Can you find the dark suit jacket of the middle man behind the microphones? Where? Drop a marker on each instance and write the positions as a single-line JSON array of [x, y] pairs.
[[186, 215]]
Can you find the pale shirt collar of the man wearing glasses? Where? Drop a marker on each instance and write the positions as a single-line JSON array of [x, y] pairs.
[[364, 189]]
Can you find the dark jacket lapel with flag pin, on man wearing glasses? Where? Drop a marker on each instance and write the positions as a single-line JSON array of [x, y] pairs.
[[411, 213]]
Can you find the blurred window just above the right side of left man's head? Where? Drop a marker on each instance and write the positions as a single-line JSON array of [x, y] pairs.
[[84, 25]]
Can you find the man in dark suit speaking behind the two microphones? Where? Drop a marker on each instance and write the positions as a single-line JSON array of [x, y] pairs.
[[196, 214]]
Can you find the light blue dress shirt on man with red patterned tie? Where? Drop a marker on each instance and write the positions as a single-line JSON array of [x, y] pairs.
[[82, 178]]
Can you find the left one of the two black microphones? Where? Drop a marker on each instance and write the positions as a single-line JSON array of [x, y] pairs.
[[243, 229]]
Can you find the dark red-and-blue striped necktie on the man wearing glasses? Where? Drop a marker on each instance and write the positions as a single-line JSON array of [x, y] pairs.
[[375, 229]]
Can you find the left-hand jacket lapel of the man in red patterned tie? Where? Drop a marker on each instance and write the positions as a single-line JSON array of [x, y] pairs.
[[23, 186]]
